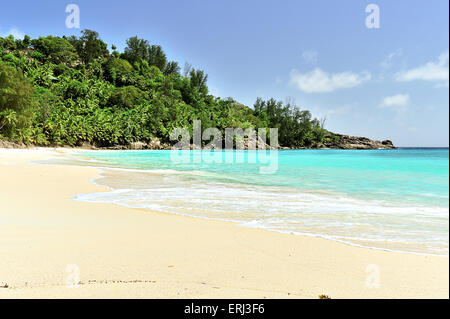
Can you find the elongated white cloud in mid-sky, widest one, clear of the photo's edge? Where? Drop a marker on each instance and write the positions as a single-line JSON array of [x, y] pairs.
[[318, 81]]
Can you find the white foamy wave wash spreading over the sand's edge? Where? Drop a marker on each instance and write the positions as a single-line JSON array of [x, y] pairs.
[[367, 223]]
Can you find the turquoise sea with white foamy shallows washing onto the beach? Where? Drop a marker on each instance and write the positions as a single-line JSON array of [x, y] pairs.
[[389, 199]]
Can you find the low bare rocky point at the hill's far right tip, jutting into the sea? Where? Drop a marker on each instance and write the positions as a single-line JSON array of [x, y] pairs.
[[339, 141]]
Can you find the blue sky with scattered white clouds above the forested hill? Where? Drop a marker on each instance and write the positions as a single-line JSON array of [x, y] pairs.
[[384, 83]]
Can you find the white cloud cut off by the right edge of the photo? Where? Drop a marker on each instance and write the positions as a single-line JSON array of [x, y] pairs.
[[431, 71]]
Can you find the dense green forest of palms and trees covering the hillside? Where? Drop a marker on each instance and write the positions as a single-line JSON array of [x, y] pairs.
[[73, 90]]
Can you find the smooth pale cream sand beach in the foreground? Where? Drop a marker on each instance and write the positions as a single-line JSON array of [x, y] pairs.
[[46, 238]]
